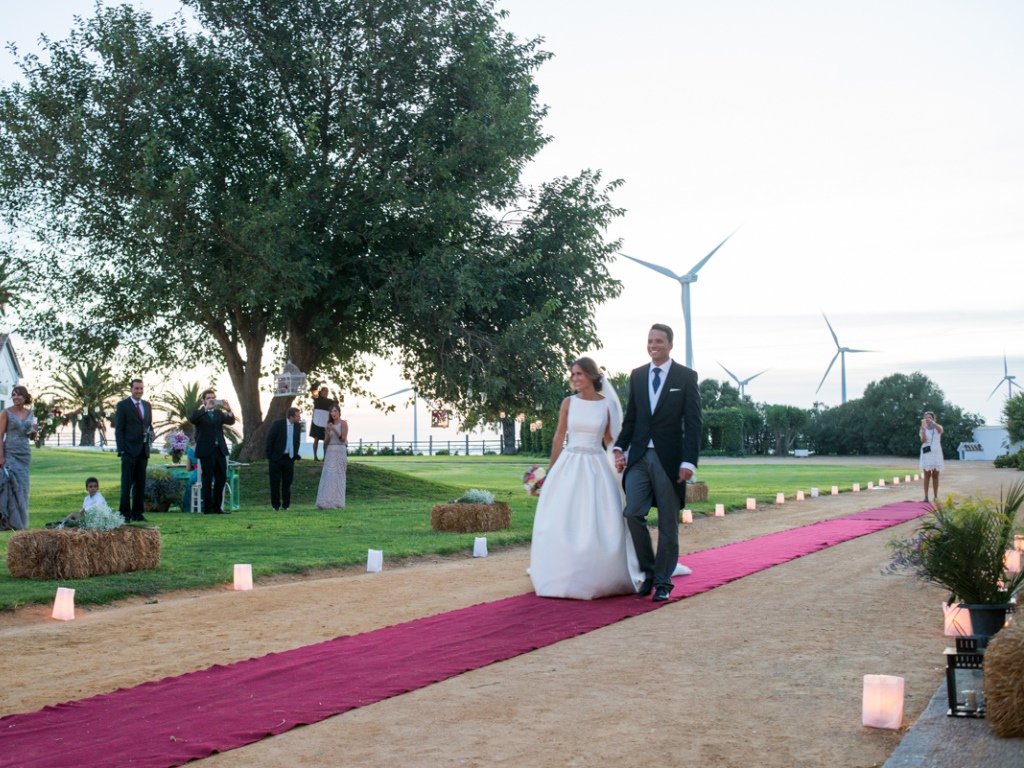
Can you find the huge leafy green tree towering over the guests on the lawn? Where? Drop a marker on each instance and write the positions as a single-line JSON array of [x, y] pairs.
[[322, 180]]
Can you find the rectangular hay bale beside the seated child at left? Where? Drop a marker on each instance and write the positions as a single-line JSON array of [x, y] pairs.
[[73, 553]]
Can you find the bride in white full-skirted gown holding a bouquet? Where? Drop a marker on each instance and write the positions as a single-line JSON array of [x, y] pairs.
[[581, 548]]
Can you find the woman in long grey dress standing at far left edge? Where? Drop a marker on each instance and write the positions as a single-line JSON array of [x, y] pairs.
[[18, 426]]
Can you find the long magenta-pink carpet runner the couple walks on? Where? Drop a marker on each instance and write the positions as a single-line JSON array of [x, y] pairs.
[[169, 722]]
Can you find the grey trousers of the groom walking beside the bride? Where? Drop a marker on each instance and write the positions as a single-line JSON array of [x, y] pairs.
[[648, 484]]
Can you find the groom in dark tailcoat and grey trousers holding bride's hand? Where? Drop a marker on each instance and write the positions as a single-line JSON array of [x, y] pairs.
[[662, 439]]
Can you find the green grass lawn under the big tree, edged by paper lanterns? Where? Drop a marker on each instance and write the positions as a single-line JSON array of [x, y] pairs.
[[390, 501]]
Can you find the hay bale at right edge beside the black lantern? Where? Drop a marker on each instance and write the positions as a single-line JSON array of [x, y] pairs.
[[1004, 685]]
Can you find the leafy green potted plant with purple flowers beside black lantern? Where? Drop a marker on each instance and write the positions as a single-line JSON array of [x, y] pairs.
[[962, 547]]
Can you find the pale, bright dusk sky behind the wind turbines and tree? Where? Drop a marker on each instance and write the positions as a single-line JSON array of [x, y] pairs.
[[870, 156]]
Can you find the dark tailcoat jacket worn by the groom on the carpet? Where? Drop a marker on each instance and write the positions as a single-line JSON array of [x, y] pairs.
[[676, 425]]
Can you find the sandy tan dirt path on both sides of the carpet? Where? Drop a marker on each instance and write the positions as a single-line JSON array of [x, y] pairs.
[[763, 672]]
